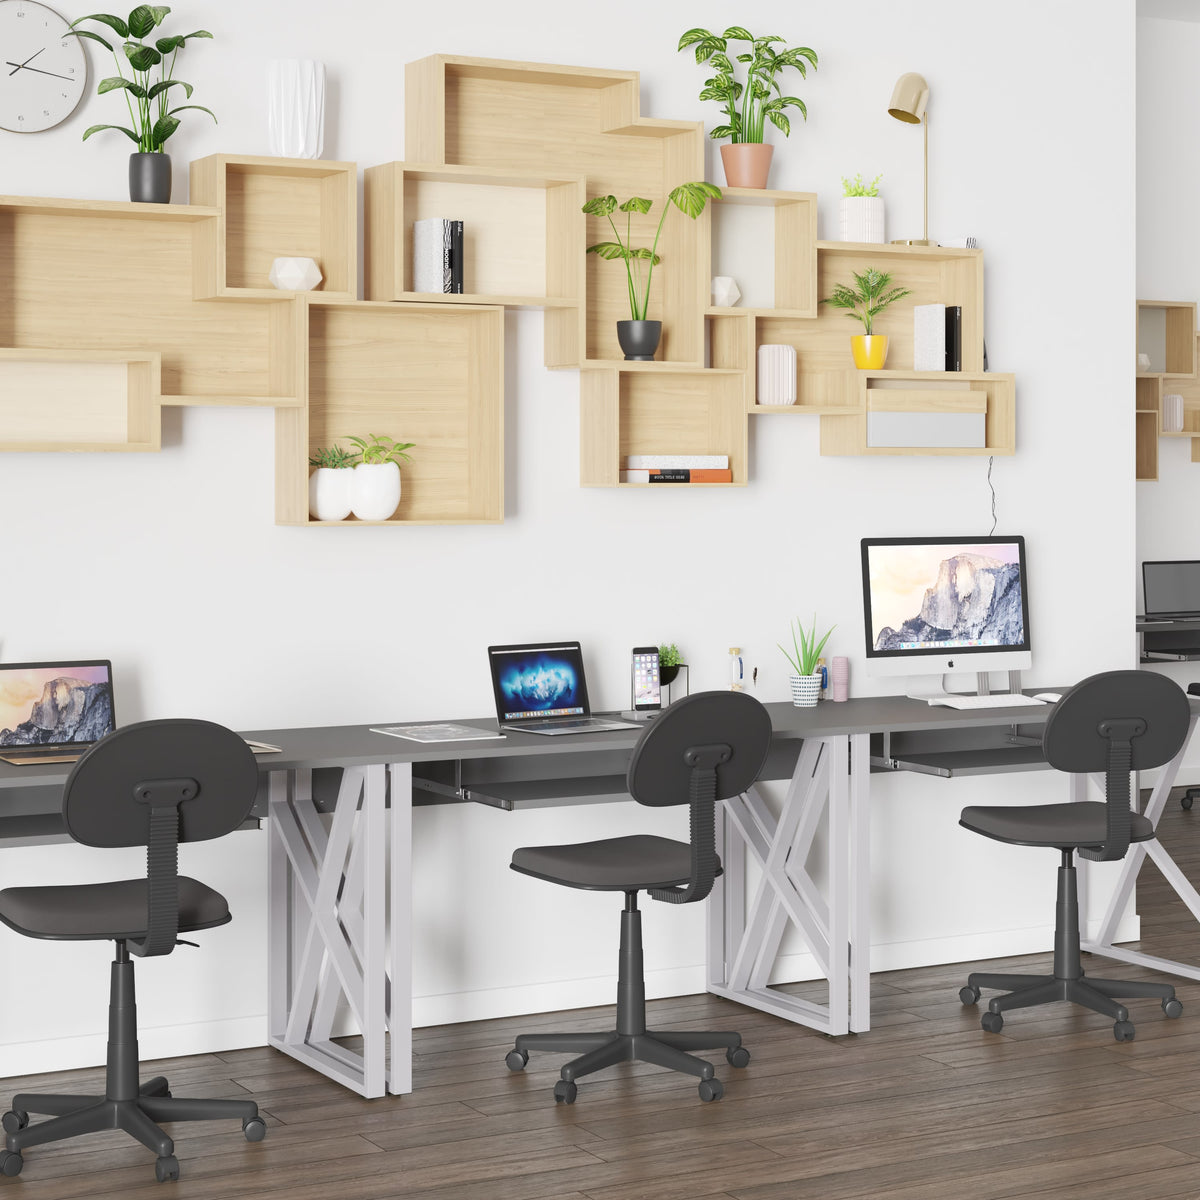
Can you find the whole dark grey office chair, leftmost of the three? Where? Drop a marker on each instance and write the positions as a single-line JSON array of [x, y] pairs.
[[155, 785]]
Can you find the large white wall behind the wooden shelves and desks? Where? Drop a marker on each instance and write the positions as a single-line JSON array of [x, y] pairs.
[[171, 565]]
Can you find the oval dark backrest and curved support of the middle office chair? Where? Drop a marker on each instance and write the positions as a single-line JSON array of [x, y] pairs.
[[704, 749]]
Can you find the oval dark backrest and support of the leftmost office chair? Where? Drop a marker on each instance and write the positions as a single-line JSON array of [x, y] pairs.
[[158, 784]]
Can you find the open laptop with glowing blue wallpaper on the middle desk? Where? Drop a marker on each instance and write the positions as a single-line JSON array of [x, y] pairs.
[[542, 689]]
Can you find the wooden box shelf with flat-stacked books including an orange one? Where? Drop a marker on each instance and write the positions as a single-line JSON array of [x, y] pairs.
[[667, 411]]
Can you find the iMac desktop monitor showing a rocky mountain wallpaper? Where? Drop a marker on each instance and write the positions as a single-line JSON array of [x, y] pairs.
[[934, 605]]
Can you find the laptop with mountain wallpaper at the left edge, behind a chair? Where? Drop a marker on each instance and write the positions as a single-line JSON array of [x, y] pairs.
[[53, 712]]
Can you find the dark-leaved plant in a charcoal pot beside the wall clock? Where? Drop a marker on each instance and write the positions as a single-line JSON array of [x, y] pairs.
[[152, 118]]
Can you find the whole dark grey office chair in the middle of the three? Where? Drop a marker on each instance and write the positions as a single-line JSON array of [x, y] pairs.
[[703, 749]]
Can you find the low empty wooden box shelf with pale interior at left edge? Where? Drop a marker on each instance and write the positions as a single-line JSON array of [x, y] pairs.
[[80, 400]]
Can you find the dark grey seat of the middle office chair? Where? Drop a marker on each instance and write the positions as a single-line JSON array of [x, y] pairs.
[[615, 865]]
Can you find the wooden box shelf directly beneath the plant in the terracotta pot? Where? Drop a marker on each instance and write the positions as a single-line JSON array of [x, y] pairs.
[[795, 249]]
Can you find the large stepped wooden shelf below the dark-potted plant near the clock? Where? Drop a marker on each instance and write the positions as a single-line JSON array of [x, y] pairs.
[[98, 274]]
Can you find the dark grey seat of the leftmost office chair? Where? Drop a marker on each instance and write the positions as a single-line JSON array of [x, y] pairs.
[[105, 911]]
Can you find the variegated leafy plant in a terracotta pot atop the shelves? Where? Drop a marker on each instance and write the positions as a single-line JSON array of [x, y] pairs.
[[749, 106]]
